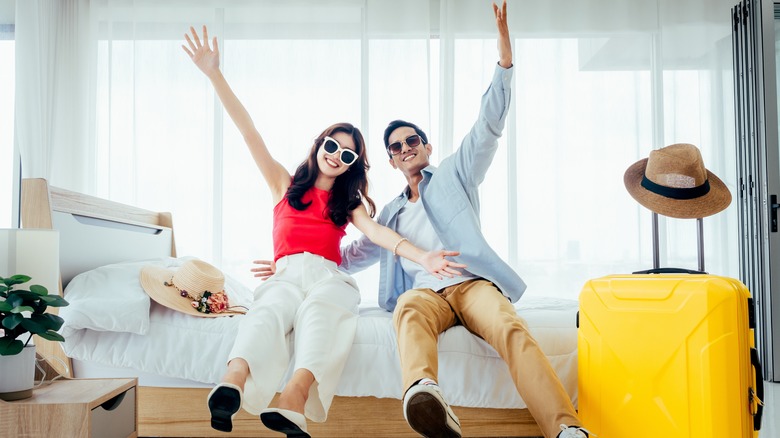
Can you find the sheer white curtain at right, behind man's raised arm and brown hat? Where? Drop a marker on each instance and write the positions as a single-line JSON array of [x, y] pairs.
[[598, 84]]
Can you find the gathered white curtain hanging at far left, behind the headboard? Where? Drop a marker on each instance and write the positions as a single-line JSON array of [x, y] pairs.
[[54, 80]]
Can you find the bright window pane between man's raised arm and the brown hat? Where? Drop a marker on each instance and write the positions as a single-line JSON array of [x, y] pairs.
[[578, 129]]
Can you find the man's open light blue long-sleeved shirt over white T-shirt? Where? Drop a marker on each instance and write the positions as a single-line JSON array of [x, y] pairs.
[[450, 196]]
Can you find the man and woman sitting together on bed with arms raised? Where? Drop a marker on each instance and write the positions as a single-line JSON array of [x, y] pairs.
[[428, 291]]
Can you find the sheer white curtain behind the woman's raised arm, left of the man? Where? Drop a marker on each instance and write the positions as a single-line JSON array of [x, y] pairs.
[[298, 67]]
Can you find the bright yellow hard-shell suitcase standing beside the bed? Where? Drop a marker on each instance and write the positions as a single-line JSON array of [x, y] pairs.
[[669, 355]]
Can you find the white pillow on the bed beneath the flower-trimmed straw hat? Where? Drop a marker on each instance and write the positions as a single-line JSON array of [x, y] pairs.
[[110, 298]]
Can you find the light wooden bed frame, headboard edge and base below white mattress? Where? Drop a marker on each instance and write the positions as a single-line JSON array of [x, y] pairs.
[[182, 412]]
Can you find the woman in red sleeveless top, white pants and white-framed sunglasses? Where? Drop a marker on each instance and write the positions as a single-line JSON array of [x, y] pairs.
[[308, 292]]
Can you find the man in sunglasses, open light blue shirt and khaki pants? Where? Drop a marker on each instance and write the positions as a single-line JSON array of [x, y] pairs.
[[440, 209]]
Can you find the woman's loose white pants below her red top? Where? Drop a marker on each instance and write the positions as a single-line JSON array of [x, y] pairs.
[[309, 296]]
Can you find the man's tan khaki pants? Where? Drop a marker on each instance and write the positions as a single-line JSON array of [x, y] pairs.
[[421, 314]]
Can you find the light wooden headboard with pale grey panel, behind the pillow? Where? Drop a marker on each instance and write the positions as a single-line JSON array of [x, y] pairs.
[[93, 232]]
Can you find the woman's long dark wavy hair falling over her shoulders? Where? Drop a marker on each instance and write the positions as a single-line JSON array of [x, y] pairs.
[[349, 188]]
